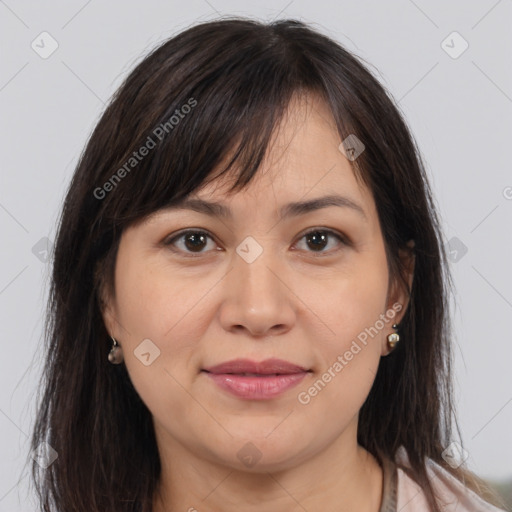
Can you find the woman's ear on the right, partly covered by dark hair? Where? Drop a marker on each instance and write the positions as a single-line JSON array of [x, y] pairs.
[[398, 296]]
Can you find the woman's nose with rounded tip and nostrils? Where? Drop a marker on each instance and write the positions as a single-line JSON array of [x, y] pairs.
[[257, 299]]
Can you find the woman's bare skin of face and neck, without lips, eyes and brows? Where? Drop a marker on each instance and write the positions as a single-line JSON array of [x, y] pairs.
[[297, 301]]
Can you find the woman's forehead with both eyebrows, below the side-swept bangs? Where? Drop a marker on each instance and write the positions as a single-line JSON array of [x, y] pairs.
[[304, 170]]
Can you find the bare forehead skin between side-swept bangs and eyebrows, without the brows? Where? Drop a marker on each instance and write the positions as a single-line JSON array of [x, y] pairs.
[[303, 162]]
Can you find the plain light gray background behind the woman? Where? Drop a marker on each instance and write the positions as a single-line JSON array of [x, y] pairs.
[[459, 110]]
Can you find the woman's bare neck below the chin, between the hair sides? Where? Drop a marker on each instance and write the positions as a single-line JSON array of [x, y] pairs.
[[340, 478]]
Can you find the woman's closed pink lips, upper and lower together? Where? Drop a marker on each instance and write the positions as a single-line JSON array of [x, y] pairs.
[[274, 376]]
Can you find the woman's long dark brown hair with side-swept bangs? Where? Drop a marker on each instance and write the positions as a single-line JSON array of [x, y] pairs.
[[236, 76]]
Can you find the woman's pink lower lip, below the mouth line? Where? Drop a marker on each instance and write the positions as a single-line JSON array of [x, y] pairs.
[[256, 388]]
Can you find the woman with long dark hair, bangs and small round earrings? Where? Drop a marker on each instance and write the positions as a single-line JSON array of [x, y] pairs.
[[249, 297]]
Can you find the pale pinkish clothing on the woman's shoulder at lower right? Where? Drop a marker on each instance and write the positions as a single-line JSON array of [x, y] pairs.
[[401, 493]]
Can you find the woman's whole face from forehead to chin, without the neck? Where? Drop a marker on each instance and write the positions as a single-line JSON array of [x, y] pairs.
[[255, 285]]
